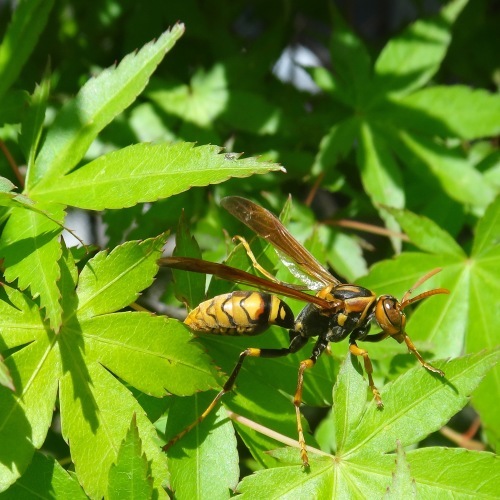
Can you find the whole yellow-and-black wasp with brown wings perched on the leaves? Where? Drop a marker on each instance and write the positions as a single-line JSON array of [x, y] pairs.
[[336, 311]]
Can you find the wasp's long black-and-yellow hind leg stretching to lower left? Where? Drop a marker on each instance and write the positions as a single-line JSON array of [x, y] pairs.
[[296, 343]]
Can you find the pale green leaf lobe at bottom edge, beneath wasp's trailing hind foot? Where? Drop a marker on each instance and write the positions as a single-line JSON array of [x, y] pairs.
[[195, 472]]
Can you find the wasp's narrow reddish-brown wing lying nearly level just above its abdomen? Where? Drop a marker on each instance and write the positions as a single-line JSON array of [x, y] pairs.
[[239, 276]]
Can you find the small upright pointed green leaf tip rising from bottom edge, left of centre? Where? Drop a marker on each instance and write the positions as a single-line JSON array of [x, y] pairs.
[[130, 476]]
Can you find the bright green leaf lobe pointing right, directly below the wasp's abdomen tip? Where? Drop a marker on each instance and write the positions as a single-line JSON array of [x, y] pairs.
[[127, 342]]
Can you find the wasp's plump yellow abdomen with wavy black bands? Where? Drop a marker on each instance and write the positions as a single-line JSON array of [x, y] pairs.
[[240, 313]]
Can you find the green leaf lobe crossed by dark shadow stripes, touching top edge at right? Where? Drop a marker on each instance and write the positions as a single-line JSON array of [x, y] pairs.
[[410, 60]]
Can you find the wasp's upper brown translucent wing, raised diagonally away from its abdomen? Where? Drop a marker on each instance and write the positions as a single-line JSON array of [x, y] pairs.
[[268, 226]]
